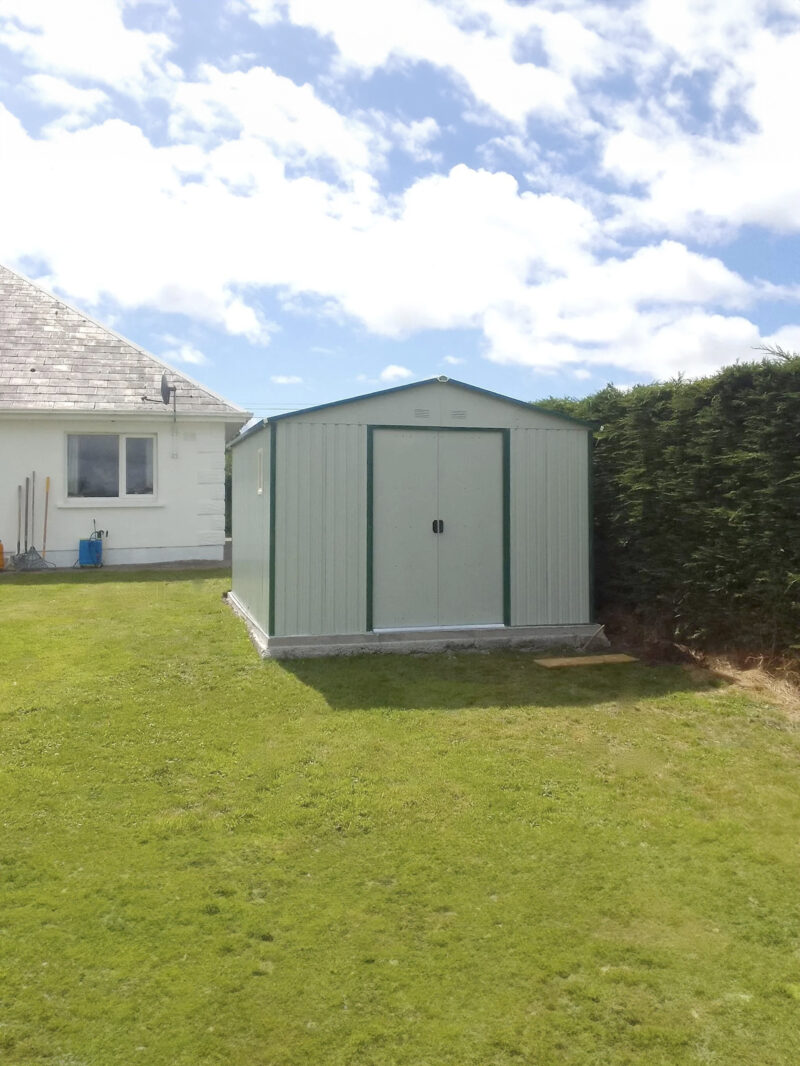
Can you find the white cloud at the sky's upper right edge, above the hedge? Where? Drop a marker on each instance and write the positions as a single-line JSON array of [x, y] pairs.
[[731, 172]]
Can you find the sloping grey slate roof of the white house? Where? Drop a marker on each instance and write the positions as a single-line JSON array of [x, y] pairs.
[[53, 358]]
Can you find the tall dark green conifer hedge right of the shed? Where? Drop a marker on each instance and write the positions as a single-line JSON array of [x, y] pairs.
[[697, 505]]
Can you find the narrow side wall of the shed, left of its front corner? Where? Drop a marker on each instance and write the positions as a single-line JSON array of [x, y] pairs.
[[251, 525]]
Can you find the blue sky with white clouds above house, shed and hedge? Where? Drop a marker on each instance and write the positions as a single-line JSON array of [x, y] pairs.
[[300, 201]]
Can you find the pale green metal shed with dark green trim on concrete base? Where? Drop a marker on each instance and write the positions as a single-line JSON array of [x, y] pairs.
[[427, 516]]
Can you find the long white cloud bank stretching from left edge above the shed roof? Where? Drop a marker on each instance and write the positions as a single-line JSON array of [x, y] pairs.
[[526, 270]]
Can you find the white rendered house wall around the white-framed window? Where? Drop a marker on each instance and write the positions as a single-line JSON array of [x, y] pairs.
[[184, 521]]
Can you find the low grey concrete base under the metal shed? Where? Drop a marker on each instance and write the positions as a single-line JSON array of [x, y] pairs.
[[421, 641]]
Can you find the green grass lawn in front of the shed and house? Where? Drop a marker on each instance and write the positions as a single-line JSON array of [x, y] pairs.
[[455, 860]]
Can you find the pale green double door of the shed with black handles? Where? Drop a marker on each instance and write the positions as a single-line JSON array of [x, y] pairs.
[[420, 577]]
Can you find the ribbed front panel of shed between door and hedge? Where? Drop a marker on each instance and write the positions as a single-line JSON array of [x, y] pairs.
[[550, 528]]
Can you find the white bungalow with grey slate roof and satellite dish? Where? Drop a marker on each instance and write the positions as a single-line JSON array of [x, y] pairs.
[[84, 407]]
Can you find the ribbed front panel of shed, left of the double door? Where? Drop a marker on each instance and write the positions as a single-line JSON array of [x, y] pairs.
[[321, 529]]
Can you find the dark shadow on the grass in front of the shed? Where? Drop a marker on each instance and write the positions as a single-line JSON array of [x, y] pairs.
[[494, 680]]
